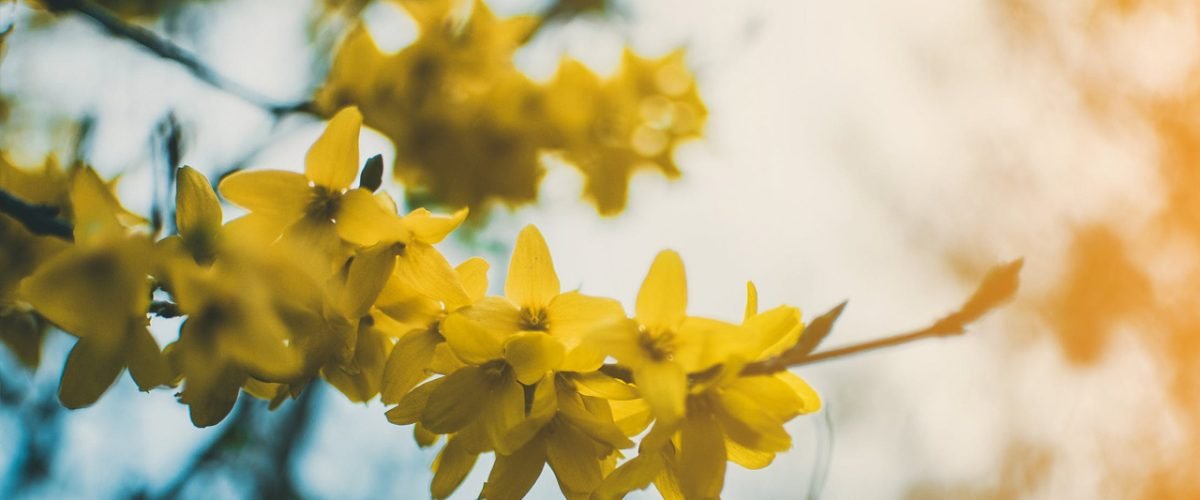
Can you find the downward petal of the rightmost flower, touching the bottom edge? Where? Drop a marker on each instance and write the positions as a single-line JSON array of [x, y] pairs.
[[701, 457]]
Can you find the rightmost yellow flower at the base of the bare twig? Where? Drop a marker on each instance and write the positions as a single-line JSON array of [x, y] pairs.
[[730, 418]]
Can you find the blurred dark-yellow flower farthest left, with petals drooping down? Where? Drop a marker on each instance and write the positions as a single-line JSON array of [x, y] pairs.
[[100, 293]]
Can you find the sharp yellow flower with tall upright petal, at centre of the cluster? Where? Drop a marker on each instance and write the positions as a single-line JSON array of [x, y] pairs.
[[536, 329]]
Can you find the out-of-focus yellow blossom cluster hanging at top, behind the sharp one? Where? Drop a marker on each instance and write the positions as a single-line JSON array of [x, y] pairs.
[[471, 130]]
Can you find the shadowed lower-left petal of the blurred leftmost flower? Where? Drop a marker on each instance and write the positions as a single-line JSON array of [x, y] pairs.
[[92, 369]]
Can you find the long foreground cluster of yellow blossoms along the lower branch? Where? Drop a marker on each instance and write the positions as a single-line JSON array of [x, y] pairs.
[[325, 280]]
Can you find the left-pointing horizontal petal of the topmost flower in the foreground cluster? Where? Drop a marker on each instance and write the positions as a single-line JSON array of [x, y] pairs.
[[279, 195]]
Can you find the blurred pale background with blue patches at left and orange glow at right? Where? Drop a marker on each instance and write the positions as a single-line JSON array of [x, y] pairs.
[[884, 152]]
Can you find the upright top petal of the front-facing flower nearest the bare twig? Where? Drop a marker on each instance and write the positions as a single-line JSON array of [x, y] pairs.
[[663, 300]]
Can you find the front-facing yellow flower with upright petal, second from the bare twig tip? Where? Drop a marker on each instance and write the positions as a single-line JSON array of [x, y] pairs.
[[664, 345]]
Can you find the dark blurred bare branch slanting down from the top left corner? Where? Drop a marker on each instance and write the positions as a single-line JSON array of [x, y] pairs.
[[169, 51]]
